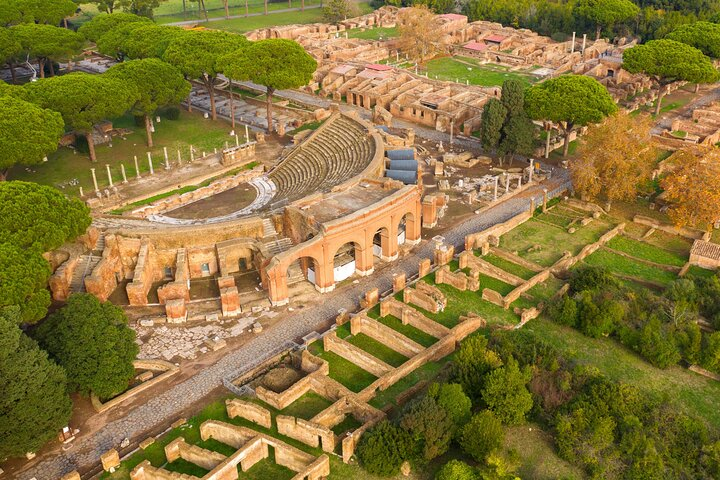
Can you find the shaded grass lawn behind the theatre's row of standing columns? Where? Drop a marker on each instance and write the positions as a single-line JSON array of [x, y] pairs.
[[66, 165]]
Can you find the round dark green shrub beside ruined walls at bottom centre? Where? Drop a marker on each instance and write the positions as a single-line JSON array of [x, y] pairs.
[[383, 449]]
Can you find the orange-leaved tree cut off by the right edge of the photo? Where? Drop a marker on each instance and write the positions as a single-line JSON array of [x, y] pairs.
[[692, 187]]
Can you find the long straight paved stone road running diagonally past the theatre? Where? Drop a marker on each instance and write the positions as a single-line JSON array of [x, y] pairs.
[[166, 406]]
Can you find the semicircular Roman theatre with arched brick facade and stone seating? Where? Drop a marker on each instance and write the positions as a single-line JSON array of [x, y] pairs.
[[329, 212]]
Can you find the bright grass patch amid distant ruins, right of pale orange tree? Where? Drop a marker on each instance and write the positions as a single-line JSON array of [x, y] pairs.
[[464, 69]]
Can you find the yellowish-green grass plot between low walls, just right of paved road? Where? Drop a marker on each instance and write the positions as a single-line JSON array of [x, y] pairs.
[[552, 241]]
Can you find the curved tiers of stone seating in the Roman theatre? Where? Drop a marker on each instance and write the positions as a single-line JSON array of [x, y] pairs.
[[339, 152]]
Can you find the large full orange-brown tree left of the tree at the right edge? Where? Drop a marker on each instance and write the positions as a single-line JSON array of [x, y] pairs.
[[614, 159]]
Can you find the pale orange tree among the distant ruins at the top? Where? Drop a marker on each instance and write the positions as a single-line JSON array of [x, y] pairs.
[[419, 33]]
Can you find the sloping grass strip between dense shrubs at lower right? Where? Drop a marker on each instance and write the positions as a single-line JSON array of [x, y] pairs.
[[692, 393]]
